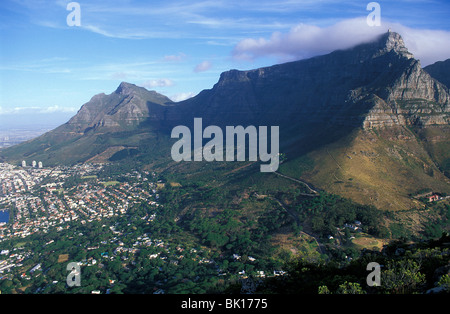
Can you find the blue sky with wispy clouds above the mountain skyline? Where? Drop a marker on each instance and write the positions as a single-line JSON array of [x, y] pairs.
[[179, 48]]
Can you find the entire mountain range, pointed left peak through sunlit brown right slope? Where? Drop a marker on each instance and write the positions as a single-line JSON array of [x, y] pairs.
[[368, 116]]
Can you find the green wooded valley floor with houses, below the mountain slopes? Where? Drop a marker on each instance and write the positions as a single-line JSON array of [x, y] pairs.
[[145, 232]]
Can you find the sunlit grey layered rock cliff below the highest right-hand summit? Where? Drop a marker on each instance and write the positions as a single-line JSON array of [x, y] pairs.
[[410, 96]]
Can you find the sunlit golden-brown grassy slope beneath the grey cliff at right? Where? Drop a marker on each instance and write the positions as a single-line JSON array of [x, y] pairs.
[[378, 167]]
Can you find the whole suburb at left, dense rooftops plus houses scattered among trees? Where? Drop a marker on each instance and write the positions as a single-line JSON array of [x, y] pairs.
[[63, 200]]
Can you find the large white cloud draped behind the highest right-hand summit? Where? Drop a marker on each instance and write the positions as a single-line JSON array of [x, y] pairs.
[[305, 41]]
